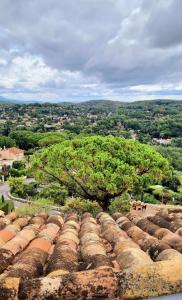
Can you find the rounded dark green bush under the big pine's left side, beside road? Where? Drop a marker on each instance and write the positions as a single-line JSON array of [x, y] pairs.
[[54, 192]]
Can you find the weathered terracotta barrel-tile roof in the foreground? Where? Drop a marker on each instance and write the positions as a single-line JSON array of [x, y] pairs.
[[82, 257]]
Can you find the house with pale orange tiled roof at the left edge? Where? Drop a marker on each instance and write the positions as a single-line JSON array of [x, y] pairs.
[[7, 156]]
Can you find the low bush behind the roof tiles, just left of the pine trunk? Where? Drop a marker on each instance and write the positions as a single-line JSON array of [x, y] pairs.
[[81, 206]]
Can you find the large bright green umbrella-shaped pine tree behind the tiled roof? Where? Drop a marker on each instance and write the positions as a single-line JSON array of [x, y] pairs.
[[100, 168]]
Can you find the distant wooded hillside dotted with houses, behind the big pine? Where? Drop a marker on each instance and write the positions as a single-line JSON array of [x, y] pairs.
[[158, 123]]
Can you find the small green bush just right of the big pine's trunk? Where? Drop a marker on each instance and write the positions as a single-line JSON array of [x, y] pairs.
[[120, 204]]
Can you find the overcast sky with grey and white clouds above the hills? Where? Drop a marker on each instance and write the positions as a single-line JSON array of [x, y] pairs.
[[57, 50]]
